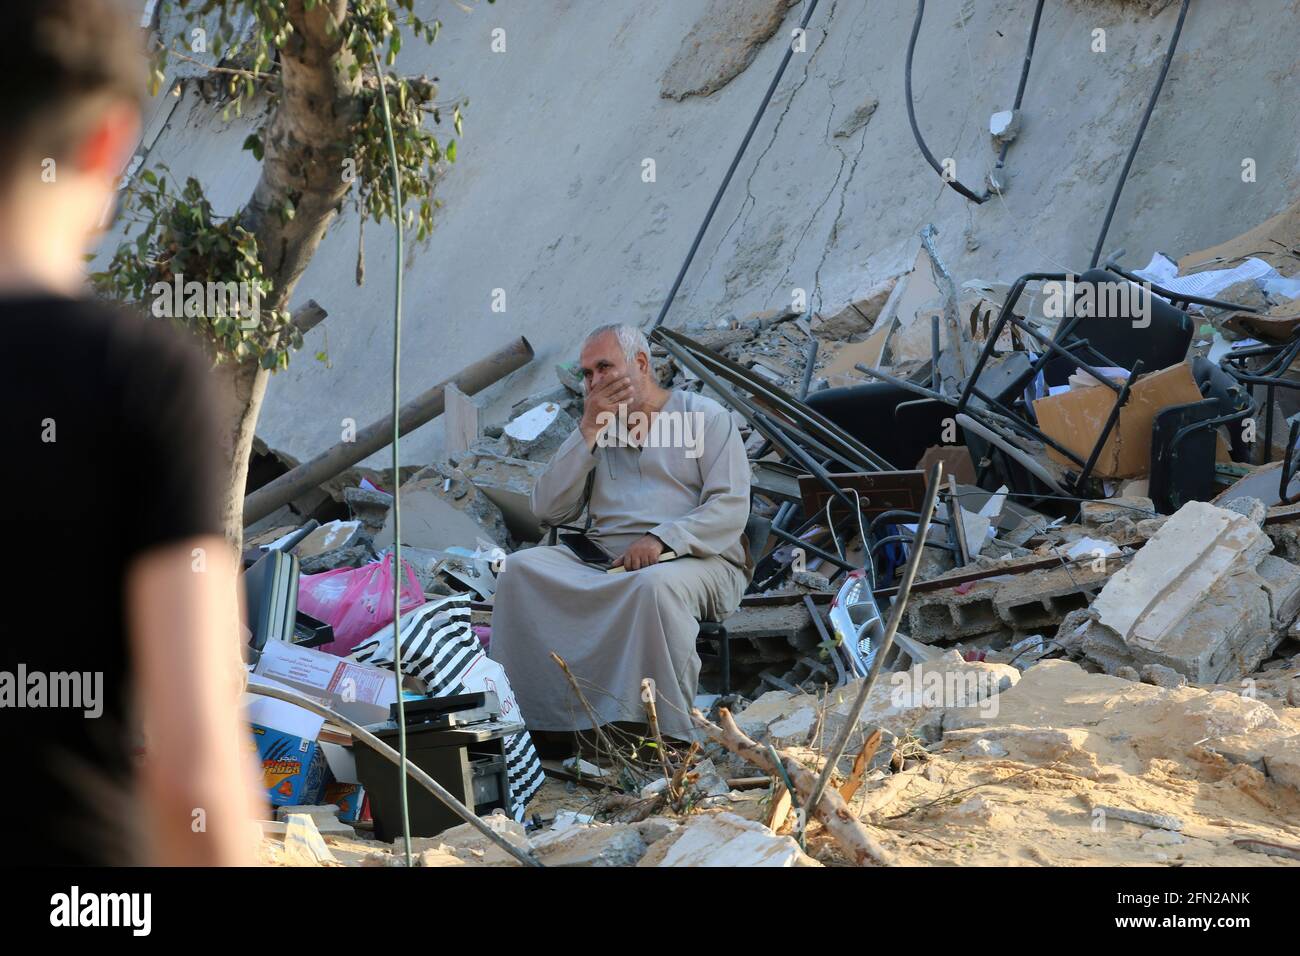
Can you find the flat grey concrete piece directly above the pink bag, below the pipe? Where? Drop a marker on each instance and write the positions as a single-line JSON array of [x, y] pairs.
[[443, 508]]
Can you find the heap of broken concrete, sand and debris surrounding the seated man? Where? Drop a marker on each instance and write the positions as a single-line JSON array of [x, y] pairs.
[[1080, 635]]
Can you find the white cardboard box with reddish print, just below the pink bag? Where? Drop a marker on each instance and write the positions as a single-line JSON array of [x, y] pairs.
[[359, 693]]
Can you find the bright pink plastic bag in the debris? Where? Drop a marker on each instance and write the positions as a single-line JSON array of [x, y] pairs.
[[357, 602]]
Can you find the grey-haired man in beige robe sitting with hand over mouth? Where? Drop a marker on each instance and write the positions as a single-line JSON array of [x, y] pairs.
[[658, 471]]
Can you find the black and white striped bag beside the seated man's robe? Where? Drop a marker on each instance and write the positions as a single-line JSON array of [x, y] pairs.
[[439, 648]]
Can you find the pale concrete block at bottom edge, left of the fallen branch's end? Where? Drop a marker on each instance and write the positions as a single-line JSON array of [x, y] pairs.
[[725, 840]]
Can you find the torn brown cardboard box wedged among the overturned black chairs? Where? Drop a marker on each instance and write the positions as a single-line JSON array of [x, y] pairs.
[[1077, 418]]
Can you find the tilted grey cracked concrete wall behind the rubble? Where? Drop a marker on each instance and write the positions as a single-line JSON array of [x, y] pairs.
[[548, 201]]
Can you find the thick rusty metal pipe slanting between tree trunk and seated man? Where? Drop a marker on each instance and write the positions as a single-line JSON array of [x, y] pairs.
[[379, 435]]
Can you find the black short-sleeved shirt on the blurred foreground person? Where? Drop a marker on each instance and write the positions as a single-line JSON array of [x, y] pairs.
[[112, 453]]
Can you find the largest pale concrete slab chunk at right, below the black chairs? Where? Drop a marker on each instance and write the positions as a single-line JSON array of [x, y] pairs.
[[1203, 598]]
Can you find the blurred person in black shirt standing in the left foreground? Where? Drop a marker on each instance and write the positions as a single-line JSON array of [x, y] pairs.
[[120, 587]]
